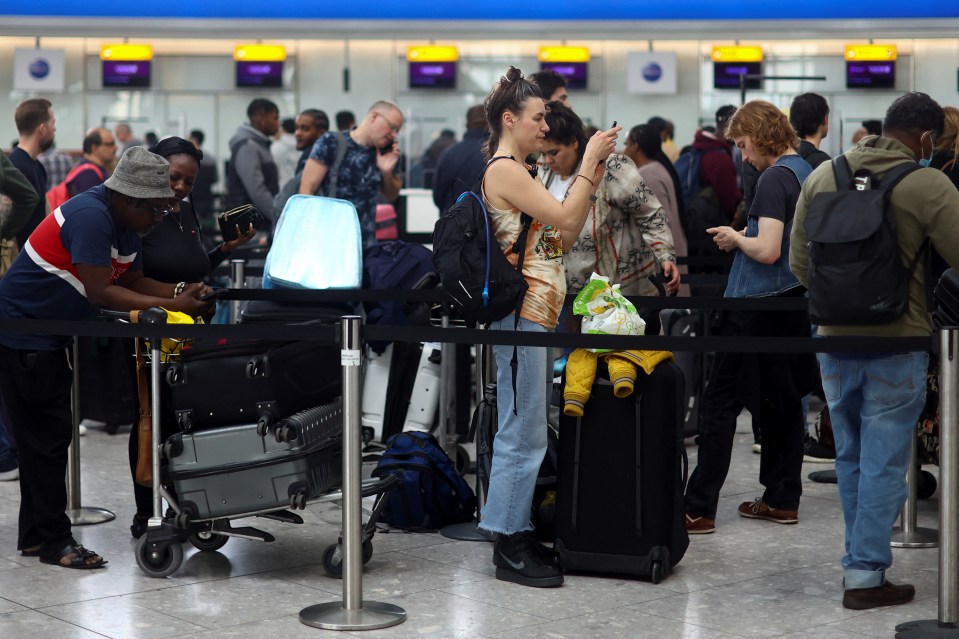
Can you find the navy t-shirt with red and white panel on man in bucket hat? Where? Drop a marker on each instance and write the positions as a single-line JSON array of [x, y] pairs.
[[43, 282]]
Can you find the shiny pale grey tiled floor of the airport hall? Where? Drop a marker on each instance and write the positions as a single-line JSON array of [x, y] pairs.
[[749, 579]]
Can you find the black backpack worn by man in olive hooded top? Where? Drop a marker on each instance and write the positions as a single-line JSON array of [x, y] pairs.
[[856, 274]]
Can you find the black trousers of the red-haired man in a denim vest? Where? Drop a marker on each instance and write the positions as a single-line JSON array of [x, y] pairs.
[[780, 420]]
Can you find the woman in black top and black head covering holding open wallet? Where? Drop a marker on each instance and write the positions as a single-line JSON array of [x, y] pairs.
[[173, 252]]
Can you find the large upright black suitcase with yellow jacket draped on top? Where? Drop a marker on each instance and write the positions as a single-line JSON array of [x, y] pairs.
[[622, 475]]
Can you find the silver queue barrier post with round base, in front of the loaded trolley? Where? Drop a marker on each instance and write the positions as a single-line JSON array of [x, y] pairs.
[[352, 613]]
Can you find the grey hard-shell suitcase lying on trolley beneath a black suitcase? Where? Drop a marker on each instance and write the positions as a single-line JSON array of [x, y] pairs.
[[232, 470]]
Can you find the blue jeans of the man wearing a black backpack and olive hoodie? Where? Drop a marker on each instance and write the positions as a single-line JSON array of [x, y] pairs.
[[874, 404]]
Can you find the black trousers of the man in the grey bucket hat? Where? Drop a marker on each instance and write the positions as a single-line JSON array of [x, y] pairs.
[[36, 391]]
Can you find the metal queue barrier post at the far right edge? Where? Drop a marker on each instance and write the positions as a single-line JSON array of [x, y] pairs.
[[947, 623]]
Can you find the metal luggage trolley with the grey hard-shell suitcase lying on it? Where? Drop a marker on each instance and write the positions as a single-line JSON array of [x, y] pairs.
[[300, 454]]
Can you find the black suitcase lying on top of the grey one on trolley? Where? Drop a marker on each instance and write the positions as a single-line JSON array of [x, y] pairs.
[[252, 381]]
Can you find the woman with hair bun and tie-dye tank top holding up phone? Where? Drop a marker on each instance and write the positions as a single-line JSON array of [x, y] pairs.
[[516, 116]]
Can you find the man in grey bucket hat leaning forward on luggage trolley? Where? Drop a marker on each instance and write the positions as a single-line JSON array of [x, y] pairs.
[[86, 254]]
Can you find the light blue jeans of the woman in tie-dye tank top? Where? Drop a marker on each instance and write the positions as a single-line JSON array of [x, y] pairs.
[[520, 443]]
